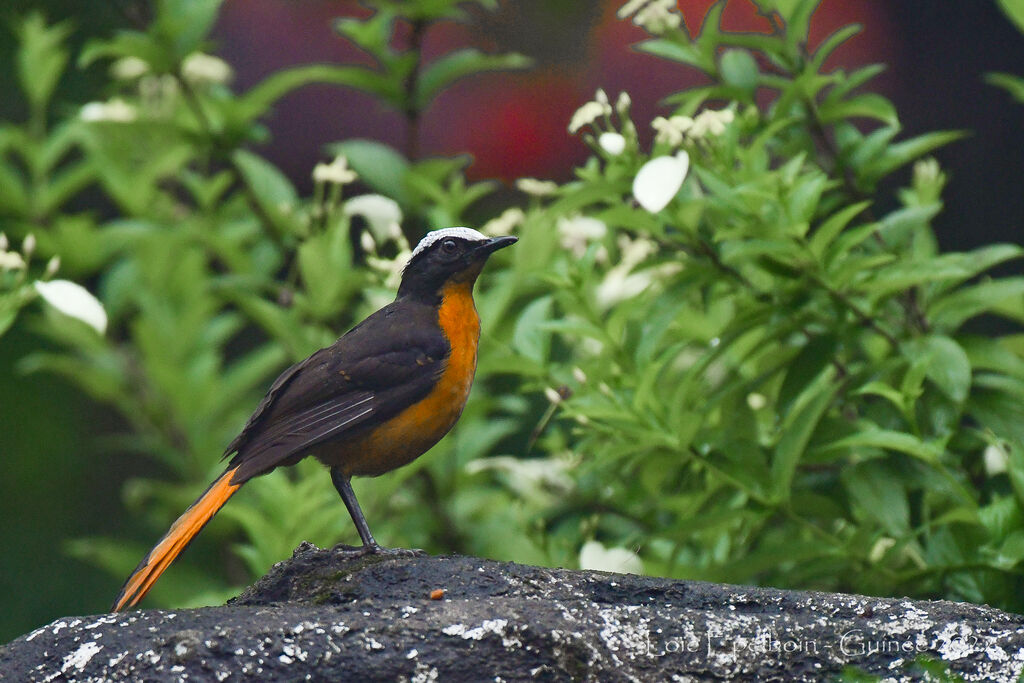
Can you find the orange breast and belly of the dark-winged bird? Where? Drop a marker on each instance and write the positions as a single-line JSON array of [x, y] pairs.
[[415, 431]]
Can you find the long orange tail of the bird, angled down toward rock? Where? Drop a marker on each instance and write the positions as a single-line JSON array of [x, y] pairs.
[[181, 534]]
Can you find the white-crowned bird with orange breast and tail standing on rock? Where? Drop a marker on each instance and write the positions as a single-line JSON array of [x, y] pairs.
[[379, 398]]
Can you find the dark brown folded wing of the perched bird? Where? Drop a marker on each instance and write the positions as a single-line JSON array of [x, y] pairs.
[[378, 369]]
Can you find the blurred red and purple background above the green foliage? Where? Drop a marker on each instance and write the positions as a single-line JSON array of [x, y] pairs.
[[514, 123]]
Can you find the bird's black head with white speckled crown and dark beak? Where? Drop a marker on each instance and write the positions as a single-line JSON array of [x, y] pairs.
[[452, 255]]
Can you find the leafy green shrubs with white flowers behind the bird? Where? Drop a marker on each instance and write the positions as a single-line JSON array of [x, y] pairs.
[[762, 373]]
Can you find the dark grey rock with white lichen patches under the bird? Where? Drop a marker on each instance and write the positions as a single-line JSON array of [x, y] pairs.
[[325, 616]]
